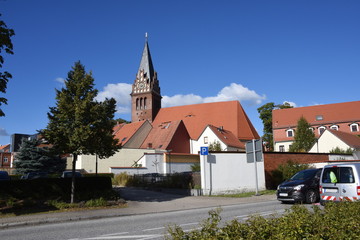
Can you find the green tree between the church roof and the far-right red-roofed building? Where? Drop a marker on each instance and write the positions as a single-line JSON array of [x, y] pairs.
[[265, 112]]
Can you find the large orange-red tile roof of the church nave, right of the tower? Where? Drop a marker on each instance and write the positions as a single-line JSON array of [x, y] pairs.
[[196, 117]]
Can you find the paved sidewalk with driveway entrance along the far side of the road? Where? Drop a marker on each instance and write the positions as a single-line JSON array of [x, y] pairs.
[[138, 201]]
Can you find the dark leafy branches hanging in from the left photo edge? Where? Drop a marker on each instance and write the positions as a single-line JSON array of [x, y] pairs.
[[7, 46]]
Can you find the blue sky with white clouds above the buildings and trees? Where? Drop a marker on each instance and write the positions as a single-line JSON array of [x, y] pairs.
[[303, 52]]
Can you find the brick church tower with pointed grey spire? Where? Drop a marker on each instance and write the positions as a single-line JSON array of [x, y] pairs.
[[145, 94]]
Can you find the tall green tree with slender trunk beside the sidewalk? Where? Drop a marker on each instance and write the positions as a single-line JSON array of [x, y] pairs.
[[79, 124]]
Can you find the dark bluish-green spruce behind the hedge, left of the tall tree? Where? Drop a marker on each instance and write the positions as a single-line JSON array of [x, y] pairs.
[[32, 158]]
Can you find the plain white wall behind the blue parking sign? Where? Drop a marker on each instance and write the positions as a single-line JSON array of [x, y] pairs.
[[230, 173]]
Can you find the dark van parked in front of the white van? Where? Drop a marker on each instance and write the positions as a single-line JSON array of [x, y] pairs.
[[302, 187]]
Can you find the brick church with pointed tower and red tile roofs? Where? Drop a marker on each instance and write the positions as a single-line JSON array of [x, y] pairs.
[[180, 129]]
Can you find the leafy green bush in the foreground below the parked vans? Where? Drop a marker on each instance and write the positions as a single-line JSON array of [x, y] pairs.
[[337, 221]]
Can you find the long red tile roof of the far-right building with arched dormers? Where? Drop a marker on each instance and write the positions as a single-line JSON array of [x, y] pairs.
[[330, 113]]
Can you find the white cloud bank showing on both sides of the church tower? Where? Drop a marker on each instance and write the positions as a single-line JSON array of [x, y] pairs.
[[121, 93]]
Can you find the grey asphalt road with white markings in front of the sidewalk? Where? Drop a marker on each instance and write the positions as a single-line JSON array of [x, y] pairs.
[[143, 226]]
